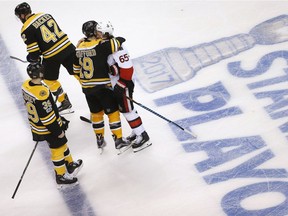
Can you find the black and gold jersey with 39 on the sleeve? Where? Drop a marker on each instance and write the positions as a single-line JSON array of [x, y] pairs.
[[43, 114]]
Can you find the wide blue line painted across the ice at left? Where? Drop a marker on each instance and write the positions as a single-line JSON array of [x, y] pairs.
[[74, 196]]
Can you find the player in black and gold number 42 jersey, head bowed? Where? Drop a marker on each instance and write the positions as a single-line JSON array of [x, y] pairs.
[[44, 38]]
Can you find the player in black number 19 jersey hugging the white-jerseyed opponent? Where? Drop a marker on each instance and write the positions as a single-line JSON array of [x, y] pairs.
[[91, 66]]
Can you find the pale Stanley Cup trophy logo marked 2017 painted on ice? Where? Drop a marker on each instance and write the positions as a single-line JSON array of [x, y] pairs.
[[170, 66]]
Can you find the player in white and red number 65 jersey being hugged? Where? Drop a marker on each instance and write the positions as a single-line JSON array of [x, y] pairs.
[[122, 70]]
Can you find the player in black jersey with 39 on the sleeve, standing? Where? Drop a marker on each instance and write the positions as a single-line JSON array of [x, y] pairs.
[[47, 124]]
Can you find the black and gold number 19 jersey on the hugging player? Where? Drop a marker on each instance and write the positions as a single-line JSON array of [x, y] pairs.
[[91, 62]]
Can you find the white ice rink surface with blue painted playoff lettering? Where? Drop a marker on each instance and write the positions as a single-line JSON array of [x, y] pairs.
[[218, 68]]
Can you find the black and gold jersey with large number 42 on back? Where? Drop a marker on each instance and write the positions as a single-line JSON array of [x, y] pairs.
[[43, 36]]
